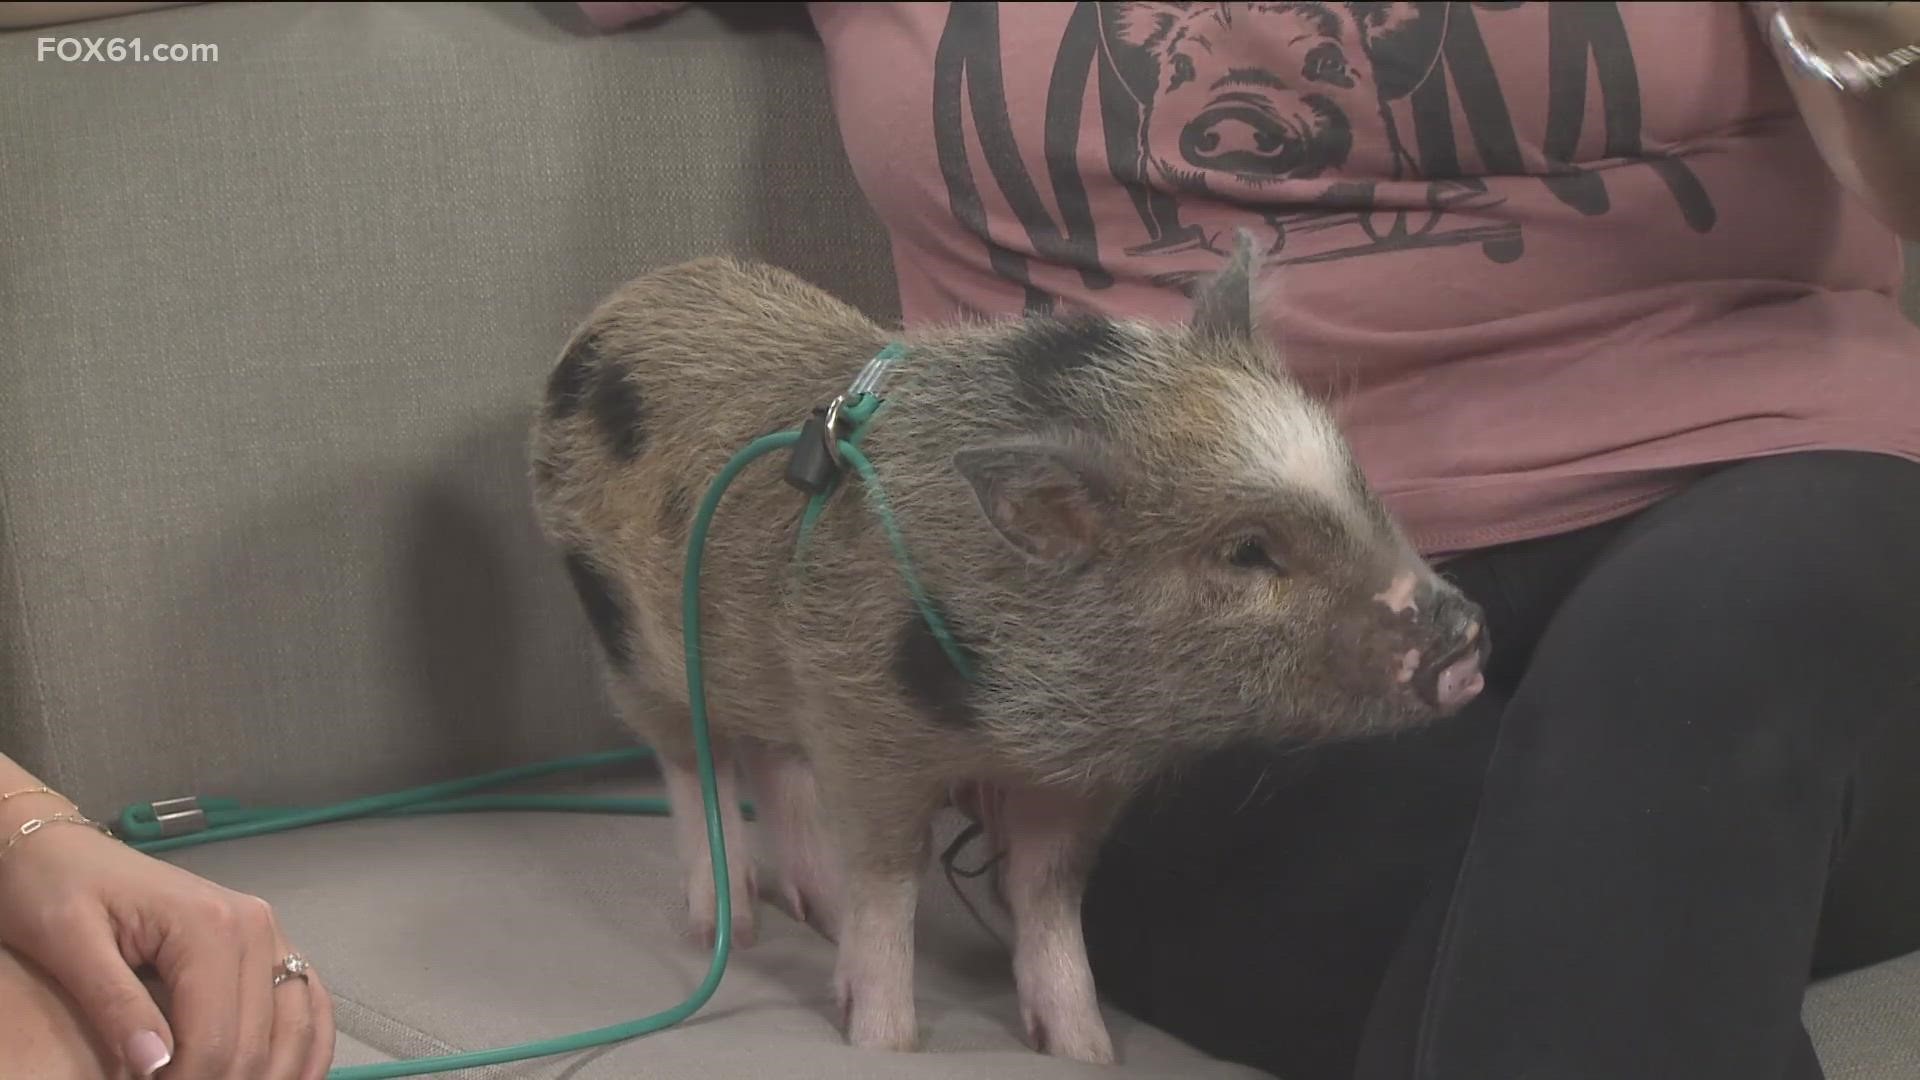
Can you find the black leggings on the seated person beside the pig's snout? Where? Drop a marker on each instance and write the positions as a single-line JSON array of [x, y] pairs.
[[1694, 783]]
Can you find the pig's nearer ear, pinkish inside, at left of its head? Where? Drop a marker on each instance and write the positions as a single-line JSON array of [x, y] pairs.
[[1045, 499]]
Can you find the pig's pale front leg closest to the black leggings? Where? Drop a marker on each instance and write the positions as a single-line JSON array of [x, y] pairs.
[[1051, 843]]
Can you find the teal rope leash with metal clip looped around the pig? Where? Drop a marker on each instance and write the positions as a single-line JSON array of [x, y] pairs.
[[183, 823]]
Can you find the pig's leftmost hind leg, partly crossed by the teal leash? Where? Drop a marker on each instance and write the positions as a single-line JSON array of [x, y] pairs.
[[669, 727]]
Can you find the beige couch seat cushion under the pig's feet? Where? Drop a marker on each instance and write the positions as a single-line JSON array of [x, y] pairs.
[[477, 931]]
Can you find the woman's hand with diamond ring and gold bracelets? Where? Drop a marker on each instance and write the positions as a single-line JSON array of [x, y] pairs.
[[95, 916]]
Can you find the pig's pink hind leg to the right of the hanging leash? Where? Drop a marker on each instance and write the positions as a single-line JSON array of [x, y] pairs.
[[788, 808]]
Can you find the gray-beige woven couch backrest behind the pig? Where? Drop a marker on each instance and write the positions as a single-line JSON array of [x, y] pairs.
[[270, 333]]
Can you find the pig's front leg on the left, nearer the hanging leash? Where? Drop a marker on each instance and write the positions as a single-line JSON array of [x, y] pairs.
[[882, 827]]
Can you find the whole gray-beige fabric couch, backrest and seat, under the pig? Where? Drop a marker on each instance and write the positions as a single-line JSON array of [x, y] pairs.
[[270, 331]]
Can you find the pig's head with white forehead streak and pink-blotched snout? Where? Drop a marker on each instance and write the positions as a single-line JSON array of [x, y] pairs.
[[1172, 549]]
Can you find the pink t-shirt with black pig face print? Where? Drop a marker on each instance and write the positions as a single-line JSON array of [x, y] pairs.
[[1545, 258]]
